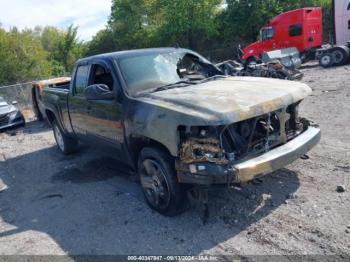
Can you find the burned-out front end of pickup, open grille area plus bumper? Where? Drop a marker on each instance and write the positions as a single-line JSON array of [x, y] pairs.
[[241, 151]]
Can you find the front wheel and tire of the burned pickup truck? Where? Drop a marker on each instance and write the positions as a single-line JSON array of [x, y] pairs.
[[158, 181]]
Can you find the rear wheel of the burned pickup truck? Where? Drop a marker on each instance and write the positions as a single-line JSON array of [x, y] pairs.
[[65, 144]]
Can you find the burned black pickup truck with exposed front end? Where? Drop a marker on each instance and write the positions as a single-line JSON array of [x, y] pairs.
[[179, 122]]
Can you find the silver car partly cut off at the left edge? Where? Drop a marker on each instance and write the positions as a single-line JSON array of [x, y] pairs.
[[10, 116]]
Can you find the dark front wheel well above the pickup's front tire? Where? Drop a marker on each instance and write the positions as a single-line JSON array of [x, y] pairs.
[[137, 144]]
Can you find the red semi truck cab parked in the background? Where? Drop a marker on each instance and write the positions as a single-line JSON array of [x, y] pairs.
[[301, 28]]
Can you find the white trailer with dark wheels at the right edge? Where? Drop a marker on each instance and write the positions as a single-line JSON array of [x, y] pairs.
[[339, 53]]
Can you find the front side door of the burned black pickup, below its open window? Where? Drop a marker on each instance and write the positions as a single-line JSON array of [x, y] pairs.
[[96, 121]]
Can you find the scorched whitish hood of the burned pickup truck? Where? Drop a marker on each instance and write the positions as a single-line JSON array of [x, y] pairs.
[[229, 100]]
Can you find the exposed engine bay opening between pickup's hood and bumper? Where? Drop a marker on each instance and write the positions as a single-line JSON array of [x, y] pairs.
[[242, 140]]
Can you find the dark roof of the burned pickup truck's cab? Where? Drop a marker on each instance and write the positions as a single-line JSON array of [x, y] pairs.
[[129, 53]]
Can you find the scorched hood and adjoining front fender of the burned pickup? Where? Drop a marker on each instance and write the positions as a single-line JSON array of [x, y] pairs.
[[220, 102]]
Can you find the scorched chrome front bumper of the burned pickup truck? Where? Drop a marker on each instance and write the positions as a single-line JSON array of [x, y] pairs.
[[211, 173]]
